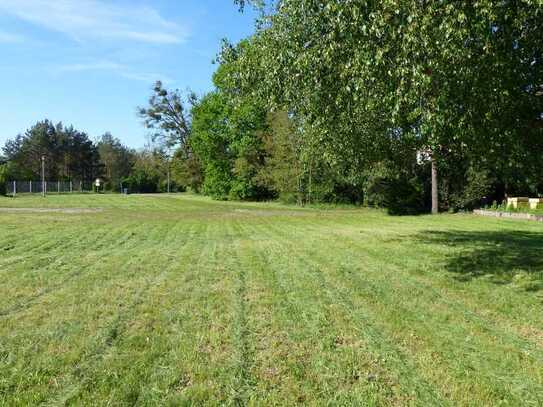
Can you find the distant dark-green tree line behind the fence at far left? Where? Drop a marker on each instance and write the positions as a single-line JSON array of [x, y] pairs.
[[68, 154]]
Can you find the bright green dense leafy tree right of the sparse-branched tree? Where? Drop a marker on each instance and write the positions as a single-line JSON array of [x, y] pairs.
[[227, 139]]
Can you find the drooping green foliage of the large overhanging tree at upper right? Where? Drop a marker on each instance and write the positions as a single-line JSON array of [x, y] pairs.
[[371, 79]]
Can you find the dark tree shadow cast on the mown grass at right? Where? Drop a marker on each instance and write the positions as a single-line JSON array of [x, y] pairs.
[[502, 257]]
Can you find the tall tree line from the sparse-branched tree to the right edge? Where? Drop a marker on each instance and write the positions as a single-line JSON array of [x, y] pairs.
[[411, 105]]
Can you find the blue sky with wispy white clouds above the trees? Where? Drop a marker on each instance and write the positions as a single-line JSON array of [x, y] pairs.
[[90, 63]]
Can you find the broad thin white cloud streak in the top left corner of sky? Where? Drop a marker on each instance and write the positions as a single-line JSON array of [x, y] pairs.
[[97, 19]]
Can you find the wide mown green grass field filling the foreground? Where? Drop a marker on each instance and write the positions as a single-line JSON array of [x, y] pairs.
[[179, 300]]
